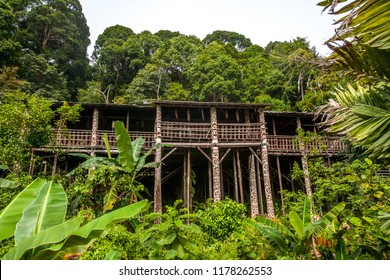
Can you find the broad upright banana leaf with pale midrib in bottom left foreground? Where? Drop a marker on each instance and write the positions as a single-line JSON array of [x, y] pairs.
[[46, 210]]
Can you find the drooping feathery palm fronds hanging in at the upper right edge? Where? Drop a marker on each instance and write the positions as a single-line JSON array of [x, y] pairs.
[[361, 49]]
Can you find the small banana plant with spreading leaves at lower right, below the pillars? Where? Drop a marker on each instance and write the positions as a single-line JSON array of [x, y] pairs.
[[299, 236]]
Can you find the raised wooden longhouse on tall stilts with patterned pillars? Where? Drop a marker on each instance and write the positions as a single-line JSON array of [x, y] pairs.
[[213, 150]]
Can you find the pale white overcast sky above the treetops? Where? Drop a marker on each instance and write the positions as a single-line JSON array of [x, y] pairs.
[[262, 21]]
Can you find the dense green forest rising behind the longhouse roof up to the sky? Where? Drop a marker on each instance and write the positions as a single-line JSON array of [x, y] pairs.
[[44, 52]]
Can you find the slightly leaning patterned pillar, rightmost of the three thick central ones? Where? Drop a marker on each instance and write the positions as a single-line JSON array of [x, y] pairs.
[[264, 160]]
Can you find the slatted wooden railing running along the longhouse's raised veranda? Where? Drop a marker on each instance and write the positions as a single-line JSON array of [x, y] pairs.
[[173, 132]]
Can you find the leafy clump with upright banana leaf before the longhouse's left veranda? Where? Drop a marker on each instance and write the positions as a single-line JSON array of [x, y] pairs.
[[101, 181]]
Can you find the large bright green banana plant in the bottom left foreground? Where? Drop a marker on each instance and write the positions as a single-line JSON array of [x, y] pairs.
[[37, 218]]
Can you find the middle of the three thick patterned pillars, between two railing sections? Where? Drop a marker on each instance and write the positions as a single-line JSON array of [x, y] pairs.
[[215, 155]]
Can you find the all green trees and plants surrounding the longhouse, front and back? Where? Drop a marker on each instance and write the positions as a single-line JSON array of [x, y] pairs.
[[97, 211]]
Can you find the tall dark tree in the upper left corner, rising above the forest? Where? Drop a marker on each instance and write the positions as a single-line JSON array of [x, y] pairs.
[[56, 29]]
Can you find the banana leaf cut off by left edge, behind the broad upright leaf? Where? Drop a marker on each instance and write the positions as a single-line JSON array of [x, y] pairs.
[[12, 213]]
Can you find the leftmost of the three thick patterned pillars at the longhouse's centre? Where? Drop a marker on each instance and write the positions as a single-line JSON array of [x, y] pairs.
[[157, 170]]
